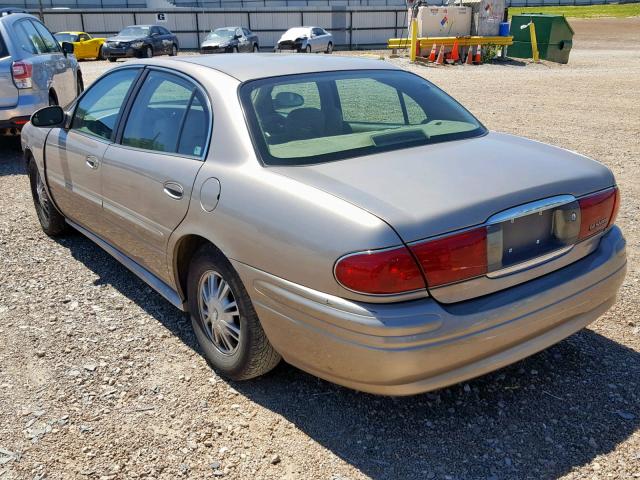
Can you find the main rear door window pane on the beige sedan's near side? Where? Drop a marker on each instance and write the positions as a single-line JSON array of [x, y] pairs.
[[158, 112]]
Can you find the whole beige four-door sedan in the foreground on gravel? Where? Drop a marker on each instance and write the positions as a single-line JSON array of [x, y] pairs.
[[340, 213]]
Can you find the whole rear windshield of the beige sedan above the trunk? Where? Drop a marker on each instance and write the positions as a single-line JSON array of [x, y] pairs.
[[322, 117]]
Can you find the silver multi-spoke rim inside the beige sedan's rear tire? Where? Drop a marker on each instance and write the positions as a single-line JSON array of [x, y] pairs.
[[219, 314]]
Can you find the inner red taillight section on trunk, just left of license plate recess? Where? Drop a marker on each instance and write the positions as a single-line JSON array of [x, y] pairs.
[[453, 258]]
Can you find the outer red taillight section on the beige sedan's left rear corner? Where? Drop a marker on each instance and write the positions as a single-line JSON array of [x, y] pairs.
[[381, 272]]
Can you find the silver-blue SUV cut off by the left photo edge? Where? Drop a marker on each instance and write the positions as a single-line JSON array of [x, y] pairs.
[[35, 70]]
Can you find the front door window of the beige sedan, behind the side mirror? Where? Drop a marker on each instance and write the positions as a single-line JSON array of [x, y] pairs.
[[98, 109]]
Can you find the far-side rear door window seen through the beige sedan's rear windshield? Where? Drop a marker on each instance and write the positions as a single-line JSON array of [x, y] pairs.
[[366, 91]]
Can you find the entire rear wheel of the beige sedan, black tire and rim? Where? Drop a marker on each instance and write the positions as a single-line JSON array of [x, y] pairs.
[[224, 320]]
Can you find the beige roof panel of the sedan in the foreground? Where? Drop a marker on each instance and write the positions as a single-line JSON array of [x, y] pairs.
[[264, 65]]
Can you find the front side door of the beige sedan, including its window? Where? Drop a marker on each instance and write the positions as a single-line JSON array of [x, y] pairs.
[[74, 155]]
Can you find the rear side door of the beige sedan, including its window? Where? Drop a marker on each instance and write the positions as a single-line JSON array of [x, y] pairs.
[[149, 173]]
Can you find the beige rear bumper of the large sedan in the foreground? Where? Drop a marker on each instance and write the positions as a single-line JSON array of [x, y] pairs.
[[412, 347]]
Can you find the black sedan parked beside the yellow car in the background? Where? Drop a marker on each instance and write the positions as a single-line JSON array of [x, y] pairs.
[[141, 41]]
